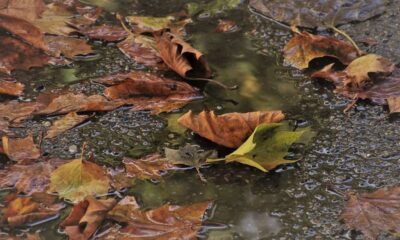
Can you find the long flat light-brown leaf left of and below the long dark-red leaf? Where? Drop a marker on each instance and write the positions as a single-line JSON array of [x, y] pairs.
[[71, 102]]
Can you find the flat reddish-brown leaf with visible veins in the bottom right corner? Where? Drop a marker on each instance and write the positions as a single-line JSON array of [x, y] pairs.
[[373, 213]]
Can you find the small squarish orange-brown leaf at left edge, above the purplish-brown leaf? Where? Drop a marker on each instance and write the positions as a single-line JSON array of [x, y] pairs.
[[20, 149]]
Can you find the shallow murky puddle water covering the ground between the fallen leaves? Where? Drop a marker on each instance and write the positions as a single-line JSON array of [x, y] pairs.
[[291, 202]]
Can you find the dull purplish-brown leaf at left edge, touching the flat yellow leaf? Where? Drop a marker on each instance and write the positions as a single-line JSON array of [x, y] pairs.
[[31, 178]]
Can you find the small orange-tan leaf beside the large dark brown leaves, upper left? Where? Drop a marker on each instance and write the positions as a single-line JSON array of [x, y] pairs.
[[67, 46]]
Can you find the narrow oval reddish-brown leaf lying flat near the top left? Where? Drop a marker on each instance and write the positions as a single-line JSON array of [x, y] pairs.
[[106, 33]]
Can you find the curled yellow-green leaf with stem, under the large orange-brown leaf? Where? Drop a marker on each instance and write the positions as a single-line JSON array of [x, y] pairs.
[[266, 148]]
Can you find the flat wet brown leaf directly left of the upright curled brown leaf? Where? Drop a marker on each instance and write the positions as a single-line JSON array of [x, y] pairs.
[[142, 50]]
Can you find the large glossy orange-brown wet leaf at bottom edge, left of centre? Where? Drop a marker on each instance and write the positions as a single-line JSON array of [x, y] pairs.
[[166, 222]]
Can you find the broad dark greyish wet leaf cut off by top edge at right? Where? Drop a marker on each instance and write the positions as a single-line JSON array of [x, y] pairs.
[[318, 13]]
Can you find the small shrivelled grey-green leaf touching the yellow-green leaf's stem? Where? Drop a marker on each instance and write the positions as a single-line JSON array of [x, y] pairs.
[[190, 155]]
